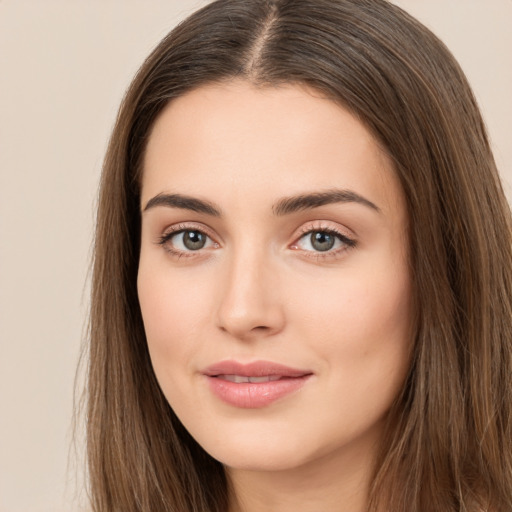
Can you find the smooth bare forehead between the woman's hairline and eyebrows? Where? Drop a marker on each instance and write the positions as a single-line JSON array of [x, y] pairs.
[[234, 139]]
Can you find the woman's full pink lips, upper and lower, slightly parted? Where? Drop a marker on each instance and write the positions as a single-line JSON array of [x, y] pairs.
[[254, 385]]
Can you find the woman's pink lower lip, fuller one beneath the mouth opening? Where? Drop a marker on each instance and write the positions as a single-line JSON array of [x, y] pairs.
[[253, 395]]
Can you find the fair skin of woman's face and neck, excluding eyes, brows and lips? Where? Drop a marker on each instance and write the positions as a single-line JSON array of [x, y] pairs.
[[259, 289]]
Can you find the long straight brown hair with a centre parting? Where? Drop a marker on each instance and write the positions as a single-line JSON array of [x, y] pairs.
[[448, 440]]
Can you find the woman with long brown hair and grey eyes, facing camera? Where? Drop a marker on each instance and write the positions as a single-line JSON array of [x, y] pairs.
[[301, 292]]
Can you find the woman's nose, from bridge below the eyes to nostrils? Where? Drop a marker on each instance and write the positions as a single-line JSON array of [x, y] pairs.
[[250, 306]]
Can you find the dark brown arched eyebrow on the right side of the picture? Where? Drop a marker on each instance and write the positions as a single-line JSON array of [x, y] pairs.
[[302, 202]]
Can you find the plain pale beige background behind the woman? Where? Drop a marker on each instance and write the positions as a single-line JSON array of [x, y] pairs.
[[63, 68]]
